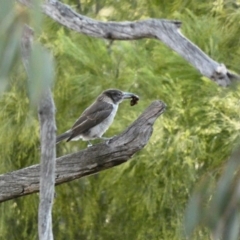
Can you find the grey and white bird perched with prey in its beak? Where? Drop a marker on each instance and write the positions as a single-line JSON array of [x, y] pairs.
[[97, 118]]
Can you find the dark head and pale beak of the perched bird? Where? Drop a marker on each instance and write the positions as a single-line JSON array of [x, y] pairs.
[[117, 96]]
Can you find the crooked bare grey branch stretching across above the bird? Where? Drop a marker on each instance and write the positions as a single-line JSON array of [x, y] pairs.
[[164, 30]]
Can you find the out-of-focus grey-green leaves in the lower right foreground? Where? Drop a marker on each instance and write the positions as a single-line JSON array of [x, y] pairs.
[[217, 205]]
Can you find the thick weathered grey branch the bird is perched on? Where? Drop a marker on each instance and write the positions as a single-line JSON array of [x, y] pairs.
[[86, 162]]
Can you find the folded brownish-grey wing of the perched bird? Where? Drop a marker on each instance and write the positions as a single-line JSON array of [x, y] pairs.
[[91, 117]]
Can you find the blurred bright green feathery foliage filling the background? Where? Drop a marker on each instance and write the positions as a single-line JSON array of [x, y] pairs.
[[145, 198]]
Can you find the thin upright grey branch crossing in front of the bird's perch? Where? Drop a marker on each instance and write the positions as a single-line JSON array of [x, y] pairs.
[[48, 148]]
